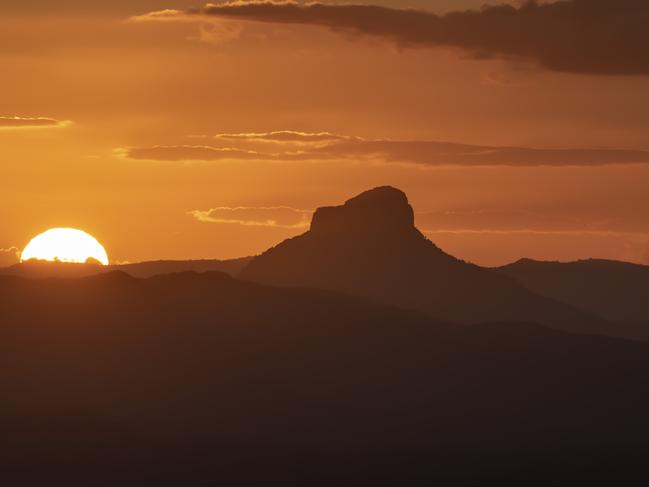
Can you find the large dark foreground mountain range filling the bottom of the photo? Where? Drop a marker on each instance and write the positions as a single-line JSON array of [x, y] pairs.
[[201, 379]]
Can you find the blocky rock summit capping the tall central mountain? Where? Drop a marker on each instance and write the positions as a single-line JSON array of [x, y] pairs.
[[379, 210]]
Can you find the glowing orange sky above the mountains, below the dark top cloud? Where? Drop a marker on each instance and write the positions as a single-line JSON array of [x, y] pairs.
[[131, 130]]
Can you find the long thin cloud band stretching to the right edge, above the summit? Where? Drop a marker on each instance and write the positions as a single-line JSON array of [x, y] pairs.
[[290, 146]]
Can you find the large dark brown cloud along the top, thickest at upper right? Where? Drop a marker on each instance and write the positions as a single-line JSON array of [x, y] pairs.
[[578, 36]]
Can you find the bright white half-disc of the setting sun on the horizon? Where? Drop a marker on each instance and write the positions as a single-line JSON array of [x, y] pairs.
[[65, 245]]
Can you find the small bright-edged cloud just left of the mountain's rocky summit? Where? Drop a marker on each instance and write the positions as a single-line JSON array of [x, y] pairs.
[[270, 216]]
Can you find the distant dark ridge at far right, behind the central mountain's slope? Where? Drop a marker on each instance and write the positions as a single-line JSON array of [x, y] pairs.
[[616, 291]]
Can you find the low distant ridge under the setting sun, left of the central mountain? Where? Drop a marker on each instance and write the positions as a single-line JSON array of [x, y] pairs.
[[41, 269]]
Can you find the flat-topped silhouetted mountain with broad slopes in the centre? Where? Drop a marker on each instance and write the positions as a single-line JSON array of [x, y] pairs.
[[370, 247]]
